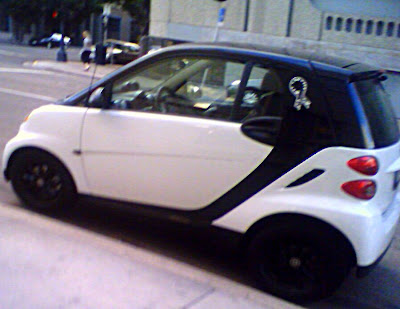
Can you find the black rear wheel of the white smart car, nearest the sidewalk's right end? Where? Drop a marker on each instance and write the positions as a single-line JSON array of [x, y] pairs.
[[298, 261]]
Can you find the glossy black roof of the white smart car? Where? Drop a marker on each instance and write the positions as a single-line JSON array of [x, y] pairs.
[[319, 61]]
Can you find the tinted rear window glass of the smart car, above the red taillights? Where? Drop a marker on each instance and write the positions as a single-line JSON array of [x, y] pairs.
[[379, 112]]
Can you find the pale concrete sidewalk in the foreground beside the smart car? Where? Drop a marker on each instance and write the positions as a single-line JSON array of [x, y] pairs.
[[49, 264]]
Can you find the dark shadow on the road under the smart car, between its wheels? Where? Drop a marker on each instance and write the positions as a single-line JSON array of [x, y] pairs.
[[207, 248]]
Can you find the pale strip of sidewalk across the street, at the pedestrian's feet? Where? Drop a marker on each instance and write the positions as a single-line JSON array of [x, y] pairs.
[[73, 67]]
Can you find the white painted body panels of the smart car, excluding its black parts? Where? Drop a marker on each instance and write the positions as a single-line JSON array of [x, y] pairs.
[[189, 177]]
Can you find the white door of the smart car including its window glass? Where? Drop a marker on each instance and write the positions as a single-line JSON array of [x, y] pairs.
[[170, 138]]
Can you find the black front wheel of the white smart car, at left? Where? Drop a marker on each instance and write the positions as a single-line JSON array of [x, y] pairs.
[[41, 181]]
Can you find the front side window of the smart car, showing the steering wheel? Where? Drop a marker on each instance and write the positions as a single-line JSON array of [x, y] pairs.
[[186, 86]]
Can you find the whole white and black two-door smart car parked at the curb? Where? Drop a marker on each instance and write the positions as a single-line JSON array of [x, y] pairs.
[[298, 155]]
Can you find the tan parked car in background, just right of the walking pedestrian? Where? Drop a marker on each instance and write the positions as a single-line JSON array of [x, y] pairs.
[[119, 52]]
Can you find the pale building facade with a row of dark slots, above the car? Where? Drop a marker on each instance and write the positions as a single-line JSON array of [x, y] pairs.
[[316, 20]]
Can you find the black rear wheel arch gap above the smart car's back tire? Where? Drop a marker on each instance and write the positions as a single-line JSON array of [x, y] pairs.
[[293, 218]]
